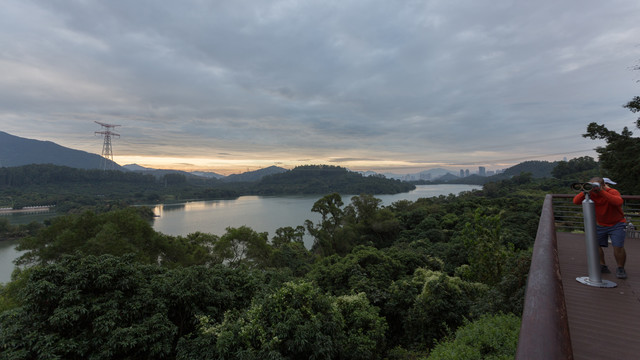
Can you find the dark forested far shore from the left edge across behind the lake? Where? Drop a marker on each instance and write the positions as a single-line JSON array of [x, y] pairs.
[[76, 190]]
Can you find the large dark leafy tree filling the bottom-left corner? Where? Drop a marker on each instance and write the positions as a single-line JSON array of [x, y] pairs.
[[89, 307]]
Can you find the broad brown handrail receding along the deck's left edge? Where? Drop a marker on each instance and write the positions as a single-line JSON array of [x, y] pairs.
[[544, 332]]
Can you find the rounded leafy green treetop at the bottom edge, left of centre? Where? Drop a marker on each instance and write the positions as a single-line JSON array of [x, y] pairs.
[[295, 322]]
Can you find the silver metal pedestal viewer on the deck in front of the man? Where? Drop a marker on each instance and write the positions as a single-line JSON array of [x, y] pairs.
[[591, 241]]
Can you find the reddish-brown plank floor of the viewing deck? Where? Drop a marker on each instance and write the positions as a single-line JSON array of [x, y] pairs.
[[604, 323]]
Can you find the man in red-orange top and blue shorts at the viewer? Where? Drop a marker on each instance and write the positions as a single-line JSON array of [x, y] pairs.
[[610, 222]]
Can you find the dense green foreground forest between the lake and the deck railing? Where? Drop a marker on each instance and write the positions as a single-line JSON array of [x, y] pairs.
[[437, 278]]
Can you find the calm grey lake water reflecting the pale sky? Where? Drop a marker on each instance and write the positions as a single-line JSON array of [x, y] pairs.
[[261, 213]]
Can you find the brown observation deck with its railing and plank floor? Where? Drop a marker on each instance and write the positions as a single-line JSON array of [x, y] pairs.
[[565, 319]]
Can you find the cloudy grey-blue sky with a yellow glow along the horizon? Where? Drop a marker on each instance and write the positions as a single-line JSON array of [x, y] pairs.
[[388, 86]]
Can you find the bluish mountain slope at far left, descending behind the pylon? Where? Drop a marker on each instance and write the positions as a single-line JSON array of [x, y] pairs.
[[18, 151]]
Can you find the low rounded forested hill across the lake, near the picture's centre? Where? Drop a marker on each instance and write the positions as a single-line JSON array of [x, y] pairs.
[[324, 179]]
